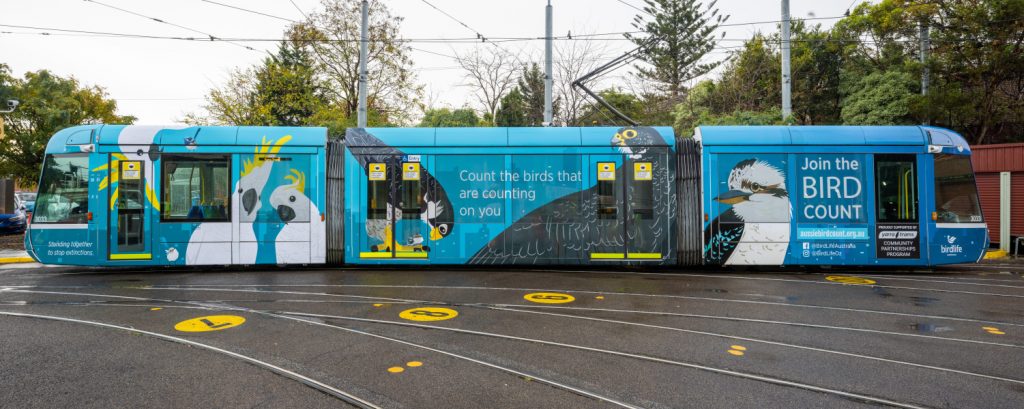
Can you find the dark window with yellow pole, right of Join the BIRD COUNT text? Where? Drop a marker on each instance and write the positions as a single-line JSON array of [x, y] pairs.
[[897, 188]]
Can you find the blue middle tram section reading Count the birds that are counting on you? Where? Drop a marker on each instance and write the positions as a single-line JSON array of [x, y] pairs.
[[491, 206]]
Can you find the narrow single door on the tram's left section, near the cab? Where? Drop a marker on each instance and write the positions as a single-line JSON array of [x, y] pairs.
[[129, 209]]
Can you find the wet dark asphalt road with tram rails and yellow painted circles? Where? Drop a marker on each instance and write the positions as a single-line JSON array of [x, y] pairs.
[[383, 339]]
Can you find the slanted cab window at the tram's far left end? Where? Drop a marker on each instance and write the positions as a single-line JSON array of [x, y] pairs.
[[64, 191]]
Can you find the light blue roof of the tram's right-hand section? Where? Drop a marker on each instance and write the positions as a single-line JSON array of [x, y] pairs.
[[830, 136]]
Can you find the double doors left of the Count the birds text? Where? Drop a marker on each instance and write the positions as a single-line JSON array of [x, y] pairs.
[[397, 194]]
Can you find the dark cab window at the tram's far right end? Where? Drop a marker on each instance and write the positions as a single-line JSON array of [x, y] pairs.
[[956, 192]]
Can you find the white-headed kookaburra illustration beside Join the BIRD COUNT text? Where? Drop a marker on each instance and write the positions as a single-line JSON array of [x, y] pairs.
[[756, 229]]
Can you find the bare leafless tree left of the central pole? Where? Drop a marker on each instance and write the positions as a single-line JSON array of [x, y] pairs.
[[491, 75]]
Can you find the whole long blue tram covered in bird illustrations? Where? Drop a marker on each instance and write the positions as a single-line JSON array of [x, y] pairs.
[[115, 195]]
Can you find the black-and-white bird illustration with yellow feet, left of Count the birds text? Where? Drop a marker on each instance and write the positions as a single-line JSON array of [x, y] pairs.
[[436, 209]]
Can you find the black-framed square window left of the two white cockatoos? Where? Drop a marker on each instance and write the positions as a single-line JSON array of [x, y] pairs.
[[196, 189]]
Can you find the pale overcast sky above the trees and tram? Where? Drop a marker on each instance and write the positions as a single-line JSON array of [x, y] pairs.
[[160, 81]]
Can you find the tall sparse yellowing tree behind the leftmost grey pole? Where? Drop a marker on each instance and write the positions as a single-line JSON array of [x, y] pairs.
[[332, 36]]
